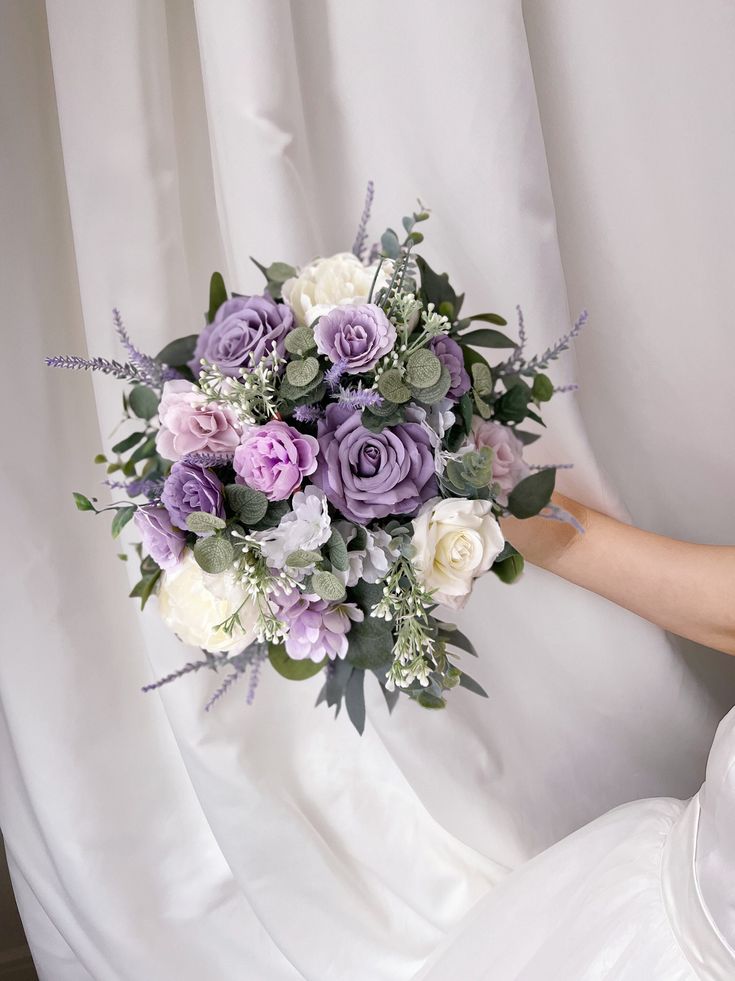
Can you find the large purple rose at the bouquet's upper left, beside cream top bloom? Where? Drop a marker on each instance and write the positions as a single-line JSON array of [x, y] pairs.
[[243, 326]]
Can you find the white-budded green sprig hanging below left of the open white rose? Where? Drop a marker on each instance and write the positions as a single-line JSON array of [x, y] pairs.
[[406, 603]]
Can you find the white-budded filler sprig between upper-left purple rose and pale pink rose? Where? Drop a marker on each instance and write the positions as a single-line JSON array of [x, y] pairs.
[[253, 396]]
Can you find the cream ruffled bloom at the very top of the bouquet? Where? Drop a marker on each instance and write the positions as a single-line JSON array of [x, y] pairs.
[[331, 282]]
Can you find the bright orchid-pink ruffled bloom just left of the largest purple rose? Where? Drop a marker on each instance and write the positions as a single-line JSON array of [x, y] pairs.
[[274, 459]]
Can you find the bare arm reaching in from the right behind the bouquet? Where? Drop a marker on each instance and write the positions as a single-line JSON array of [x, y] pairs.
[[685, 588]]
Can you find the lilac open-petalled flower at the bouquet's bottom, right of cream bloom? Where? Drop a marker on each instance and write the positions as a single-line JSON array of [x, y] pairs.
[[316, 628]]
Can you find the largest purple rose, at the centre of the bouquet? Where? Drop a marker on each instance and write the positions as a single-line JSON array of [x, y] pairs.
[[369, 475]]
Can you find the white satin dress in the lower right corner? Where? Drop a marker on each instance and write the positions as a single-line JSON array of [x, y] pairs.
[[644, 893]]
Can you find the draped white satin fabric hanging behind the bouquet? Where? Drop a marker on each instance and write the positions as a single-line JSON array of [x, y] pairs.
[[147, 142]]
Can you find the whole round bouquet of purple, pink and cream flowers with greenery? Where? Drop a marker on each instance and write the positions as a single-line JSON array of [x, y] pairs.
[[324, 464]]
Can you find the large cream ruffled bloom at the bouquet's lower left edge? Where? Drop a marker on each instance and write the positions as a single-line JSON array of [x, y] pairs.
[[192, 602]]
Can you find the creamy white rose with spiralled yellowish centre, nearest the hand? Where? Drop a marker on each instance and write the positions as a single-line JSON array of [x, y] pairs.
[[456, 540]]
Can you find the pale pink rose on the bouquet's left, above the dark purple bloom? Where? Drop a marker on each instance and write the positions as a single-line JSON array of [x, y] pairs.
[[190, 424]]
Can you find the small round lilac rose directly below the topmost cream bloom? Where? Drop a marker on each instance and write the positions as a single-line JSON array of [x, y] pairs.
[[356, 337]]
